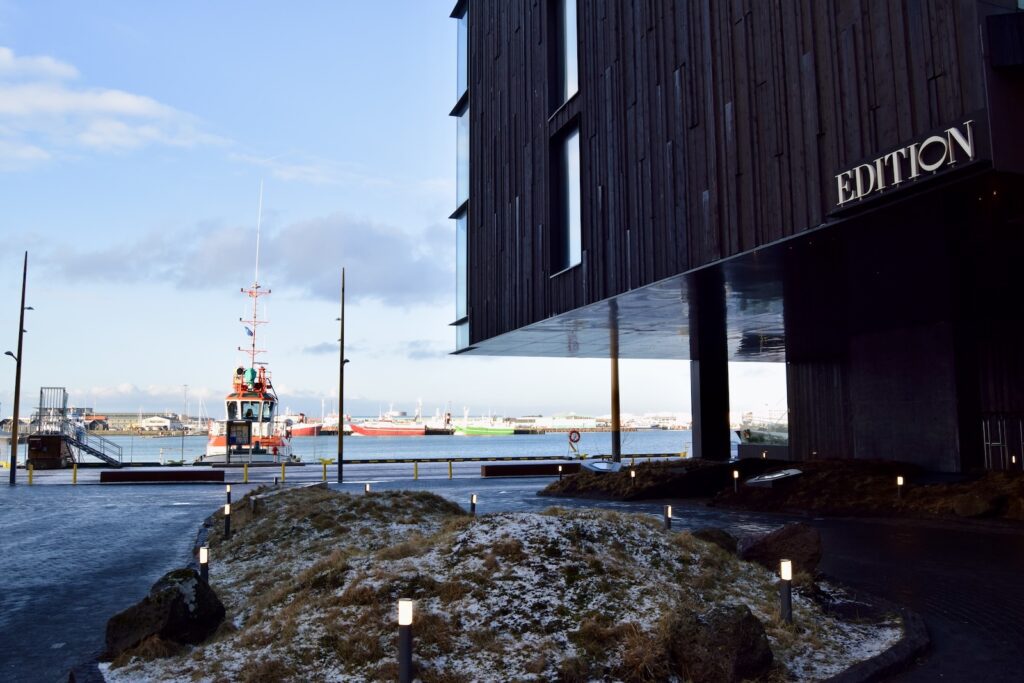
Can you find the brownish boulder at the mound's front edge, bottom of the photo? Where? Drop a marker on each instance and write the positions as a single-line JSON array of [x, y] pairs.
[[727, 646]]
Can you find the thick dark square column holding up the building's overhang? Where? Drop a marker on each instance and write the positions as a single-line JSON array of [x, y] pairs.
[[709, 369]]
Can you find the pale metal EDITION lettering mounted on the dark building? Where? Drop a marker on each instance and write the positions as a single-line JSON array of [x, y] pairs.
[[908, 164]]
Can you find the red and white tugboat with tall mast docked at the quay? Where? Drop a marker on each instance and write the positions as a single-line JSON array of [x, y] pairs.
[[252, 400]]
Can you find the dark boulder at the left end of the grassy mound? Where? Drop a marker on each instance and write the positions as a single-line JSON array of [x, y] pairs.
[[181, 609]]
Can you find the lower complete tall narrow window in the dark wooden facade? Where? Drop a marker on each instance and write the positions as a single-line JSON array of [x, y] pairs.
[[567, 225]]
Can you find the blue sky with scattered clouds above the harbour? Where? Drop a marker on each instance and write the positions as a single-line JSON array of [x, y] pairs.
[[134, 142]]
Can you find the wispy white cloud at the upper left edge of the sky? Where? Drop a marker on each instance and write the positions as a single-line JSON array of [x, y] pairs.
[[42, 115]]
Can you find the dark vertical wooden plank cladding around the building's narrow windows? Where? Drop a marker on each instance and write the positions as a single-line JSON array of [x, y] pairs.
[[707, 130]]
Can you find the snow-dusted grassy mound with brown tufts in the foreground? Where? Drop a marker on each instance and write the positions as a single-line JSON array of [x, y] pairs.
[[312, 584]]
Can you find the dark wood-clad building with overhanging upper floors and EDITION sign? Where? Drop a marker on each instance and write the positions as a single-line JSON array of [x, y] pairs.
[[835, 185]]
